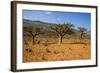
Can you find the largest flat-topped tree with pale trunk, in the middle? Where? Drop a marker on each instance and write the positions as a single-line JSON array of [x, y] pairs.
[[62, 30]]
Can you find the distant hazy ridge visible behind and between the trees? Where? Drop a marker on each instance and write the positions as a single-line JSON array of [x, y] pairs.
[[44, 27]]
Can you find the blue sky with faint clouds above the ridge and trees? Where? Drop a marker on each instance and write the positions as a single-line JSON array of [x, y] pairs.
[[58, 17]]
